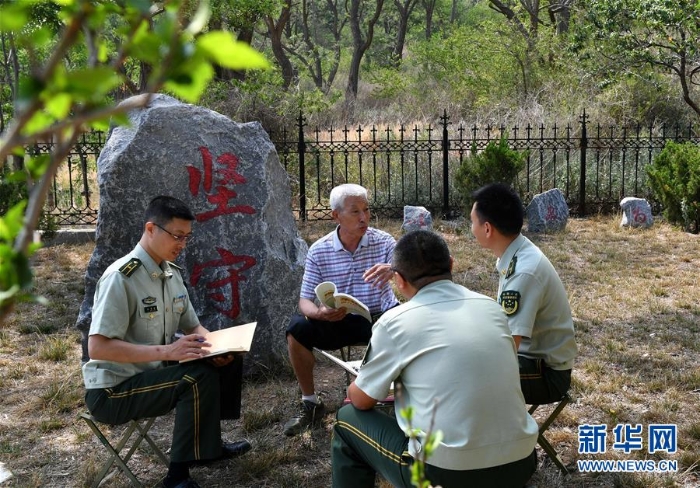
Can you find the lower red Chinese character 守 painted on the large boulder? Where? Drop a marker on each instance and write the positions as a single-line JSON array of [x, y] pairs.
[[234, 266]]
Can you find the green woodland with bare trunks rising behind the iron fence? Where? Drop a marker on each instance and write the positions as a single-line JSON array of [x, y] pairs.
[[510, 62]]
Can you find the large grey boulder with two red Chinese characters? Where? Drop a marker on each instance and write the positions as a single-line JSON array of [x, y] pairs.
[[245, 261]]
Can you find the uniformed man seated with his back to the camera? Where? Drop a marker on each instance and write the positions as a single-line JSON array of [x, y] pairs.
[[450, 354]]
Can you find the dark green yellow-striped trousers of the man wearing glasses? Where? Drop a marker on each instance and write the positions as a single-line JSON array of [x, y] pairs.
[[196, 390]]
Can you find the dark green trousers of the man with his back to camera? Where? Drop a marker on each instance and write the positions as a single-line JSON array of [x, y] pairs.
[[366, 442]]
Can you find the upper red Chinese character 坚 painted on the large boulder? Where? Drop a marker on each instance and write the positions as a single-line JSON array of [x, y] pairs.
[[217, 182]]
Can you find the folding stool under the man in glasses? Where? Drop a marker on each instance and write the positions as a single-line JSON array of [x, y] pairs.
[[138, 427]]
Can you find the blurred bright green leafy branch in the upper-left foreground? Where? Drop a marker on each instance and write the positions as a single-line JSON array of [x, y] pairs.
[[56, 100]]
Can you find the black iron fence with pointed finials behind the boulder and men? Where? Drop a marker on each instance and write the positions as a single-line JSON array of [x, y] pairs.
[[594, 166]]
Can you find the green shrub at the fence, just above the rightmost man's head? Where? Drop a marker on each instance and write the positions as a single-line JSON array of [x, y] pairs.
[[496, 163]]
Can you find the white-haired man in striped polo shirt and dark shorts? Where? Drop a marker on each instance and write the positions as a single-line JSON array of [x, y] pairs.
[[356, 258]]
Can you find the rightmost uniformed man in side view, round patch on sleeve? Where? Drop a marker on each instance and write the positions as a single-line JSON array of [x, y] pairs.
[[531, 294]]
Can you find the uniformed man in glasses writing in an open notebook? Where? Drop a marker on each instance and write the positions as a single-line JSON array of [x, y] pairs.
[[140, 303]]
